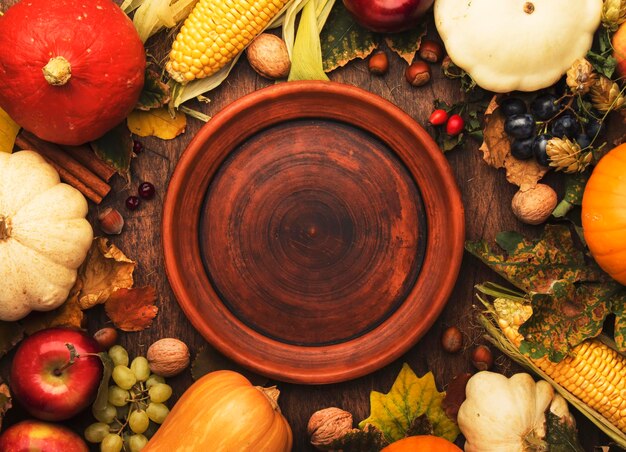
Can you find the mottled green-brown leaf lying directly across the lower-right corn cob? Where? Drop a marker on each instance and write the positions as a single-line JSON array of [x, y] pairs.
[[565, 317]]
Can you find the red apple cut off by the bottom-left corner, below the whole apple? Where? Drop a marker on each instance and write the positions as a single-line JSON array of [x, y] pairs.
[[37, 436]]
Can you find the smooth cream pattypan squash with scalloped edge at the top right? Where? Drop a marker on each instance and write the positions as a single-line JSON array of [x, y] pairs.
[[509, 45]]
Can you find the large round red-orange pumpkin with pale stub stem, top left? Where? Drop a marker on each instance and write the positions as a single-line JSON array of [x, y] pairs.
[[70, 69]]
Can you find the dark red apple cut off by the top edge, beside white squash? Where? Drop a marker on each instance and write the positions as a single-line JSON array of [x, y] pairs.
[[388, 16]]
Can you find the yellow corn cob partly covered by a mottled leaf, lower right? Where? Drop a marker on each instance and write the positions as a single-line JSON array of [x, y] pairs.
[[593, 372]]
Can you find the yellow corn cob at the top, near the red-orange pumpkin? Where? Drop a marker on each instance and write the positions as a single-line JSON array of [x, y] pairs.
[[215, 32]]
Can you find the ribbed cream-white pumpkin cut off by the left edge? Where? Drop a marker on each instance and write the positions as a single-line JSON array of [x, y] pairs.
[[44, 236]]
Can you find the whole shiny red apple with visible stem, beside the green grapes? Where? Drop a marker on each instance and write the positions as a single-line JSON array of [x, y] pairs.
[[45, 382]]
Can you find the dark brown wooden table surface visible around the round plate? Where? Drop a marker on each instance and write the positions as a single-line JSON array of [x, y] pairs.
[[486, 196]]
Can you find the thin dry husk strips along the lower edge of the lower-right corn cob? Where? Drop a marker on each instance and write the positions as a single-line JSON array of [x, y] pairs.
[[489, 320]]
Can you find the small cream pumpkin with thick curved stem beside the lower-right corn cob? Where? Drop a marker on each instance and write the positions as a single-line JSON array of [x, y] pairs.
[[503, 414]]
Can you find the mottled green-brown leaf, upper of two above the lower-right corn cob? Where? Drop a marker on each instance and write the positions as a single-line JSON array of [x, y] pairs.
[[533, 265]]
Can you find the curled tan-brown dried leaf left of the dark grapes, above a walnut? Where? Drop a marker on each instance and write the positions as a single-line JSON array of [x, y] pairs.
[[496, 149]]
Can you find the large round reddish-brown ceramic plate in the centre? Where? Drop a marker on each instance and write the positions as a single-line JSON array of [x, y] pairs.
[[312, 232]]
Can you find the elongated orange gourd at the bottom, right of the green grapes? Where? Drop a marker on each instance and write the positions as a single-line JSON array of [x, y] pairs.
[[222, 411]]
